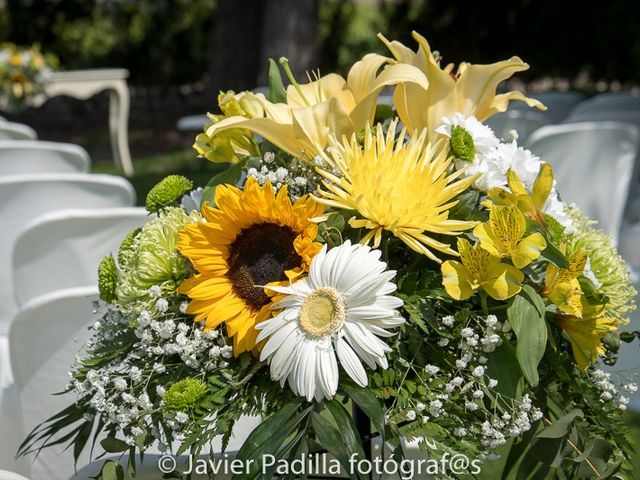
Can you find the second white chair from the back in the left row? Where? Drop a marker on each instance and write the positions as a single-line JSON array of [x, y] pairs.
[[32, 156]]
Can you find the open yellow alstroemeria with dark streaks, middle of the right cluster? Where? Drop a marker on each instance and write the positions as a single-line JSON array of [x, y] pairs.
[[502, 236]]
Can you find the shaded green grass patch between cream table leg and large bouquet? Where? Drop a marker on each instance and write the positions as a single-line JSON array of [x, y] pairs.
[[150, 170]]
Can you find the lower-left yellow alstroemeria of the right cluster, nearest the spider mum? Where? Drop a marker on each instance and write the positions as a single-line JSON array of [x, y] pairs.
[[479, 270]]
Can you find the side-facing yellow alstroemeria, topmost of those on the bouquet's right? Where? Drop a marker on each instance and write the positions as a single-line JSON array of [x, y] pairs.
[[530, 203]]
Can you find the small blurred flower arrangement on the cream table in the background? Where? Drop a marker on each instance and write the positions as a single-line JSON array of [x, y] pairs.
[[22, 74]]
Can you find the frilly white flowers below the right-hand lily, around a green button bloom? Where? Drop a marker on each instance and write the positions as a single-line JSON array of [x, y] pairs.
[[494, 158]]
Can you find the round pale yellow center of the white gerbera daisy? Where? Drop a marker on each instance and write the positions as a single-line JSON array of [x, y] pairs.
[[322, 312]]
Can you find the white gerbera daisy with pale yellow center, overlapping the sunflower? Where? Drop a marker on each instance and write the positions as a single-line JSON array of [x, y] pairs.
[[339, 310]]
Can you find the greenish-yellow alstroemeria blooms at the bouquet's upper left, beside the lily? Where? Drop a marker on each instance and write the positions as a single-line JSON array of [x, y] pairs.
[[230, 145]]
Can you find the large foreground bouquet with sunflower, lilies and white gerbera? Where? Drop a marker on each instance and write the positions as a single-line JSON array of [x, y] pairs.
[[400, 263]]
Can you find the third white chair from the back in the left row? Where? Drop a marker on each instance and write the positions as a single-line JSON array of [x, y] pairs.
[[25, 197]]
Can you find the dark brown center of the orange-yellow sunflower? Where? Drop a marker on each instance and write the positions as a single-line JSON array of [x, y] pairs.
[[260, 254]]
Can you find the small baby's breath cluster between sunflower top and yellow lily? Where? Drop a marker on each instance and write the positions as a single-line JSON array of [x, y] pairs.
[[299, 176]]
